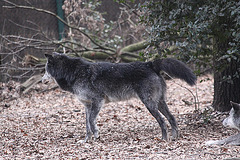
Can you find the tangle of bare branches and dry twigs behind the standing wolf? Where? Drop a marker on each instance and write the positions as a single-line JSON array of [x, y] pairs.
[[74, 42]]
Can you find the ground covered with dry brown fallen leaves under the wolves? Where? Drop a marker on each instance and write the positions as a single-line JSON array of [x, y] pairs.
[[48, 124]]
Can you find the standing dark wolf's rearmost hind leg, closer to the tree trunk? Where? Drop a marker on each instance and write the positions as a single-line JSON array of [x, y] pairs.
[[163, 108]]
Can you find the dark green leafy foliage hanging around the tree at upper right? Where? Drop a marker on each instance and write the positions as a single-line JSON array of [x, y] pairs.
[[197, 28]]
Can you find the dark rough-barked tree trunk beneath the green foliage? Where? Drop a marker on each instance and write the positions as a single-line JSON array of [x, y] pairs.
[[226, 83]]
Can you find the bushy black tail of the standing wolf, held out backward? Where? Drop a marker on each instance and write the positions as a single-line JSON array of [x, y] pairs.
[[176, 69]]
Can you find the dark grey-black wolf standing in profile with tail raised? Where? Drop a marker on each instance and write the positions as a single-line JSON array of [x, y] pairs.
[[97, 83]]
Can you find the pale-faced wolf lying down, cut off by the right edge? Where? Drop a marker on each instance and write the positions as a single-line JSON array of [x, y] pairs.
[[232, 121]]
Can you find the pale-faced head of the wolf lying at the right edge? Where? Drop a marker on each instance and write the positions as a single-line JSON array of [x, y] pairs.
[[233, 120]]
